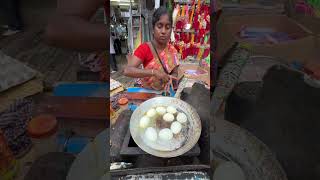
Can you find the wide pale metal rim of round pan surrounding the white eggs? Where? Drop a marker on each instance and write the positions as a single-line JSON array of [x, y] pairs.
[[193, 134]]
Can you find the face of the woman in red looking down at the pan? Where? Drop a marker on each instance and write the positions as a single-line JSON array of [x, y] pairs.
[[162, 30]]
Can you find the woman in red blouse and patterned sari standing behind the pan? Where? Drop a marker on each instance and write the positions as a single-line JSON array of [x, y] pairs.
[[158, 57]]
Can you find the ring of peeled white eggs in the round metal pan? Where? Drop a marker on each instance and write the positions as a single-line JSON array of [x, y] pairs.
[[168, 115]]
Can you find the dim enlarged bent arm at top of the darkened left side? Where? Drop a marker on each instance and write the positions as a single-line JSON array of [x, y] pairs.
[[71, 27]]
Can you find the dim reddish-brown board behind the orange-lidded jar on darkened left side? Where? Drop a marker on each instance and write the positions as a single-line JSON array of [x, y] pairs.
[[86, 116]]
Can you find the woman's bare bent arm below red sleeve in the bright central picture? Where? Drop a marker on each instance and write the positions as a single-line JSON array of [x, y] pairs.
[[132, 70]]
